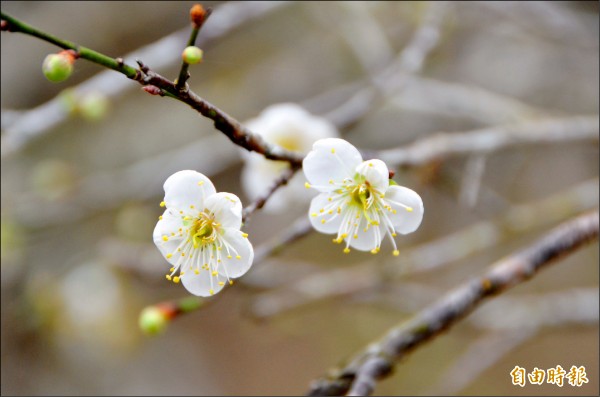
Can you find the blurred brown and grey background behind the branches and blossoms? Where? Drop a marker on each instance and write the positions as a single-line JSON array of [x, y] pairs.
[[80, 199]]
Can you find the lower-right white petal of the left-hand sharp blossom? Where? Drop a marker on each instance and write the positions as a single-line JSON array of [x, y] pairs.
[[238, 246]]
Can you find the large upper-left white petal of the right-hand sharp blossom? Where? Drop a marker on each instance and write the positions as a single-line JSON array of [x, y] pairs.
[[331, 159]]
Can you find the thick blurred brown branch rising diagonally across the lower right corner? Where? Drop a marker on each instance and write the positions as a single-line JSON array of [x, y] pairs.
[[359, 377]]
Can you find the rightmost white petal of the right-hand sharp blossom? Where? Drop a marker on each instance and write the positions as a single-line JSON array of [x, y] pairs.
[[404, 221]]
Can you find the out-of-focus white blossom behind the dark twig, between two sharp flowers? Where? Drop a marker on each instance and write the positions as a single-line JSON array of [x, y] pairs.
[[290, 126]]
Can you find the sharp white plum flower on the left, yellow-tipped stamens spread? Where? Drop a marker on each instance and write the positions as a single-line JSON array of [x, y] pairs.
[[199, 234]]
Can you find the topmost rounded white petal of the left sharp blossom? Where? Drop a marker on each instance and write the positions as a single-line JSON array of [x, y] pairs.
[[185, 189]]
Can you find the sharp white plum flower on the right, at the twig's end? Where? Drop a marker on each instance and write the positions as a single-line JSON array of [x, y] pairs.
[[357, 199]]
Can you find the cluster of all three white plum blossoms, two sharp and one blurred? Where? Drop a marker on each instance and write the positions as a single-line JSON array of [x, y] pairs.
[[199, 232]]
